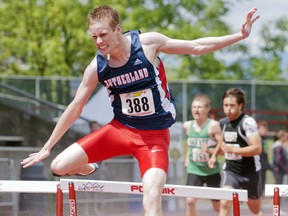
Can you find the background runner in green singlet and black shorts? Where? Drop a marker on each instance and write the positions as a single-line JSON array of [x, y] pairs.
[[203, 135]]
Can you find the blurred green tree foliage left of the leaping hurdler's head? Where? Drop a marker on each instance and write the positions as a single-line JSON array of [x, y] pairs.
[[44, 37]]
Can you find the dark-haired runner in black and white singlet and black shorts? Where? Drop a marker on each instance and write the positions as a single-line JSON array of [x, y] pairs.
[[242, 148]]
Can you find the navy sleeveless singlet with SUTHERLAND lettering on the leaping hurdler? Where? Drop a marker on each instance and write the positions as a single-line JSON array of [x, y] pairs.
[[138, 91]]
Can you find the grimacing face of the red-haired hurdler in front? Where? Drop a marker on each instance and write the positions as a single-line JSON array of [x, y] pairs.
[[104, 37]]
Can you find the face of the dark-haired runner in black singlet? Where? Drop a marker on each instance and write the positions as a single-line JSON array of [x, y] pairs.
[[231, 108]]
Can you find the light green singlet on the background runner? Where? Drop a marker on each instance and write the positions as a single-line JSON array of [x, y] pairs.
[[197, 159]]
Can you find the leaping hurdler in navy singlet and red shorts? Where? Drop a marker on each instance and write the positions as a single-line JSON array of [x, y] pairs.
[[129, 67]]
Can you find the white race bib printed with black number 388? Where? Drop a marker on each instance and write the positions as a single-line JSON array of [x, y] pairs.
[[138, 103]]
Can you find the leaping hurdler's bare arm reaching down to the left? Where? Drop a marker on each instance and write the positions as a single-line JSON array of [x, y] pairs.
[[68, 117]]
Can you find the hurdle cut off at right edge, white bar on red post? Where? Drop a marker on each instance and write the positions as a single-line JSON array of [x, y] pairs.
[[276, 191]]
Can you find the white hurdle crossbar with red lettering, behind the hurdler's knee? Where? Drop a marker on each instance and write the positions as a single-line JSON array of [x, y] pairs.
[[168, 190]]
